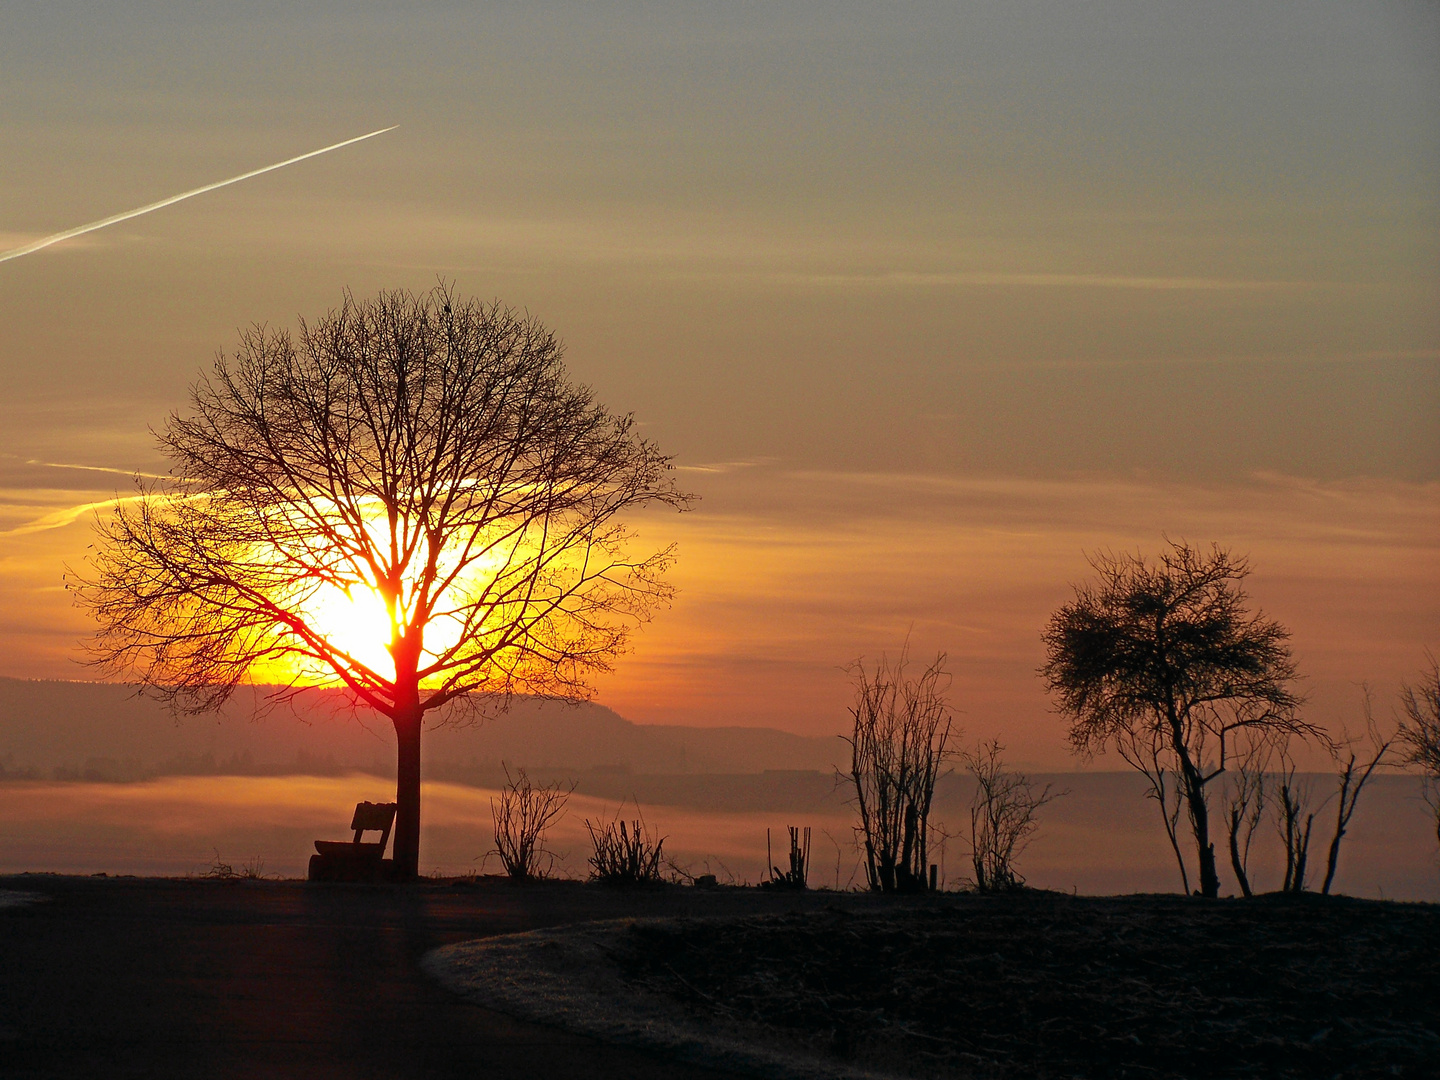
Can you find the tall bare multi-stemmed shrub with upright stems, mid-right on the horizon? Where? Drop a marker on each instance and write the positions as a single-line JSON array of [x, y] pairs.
[[898, 752]]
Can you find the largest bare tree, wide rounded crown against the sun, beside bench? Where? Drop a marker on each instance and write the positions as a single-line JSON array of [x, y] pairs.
[[423, 451]]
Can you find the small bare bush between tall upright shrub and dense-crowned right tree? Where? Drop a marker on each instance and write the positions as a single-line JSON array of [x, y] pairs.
[[1003, 817]]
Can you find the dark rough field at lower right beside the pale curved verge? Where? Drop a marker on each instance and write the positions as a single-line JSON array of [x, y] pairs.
[[1046, 986]]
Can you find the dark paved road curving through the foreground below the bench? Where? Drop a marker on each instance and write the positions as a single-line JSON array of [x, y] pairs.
[[192, 978]]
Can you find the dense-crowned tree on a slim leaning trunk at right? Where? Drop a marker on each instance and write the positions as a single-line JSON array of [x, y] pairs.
[[1166, 663]]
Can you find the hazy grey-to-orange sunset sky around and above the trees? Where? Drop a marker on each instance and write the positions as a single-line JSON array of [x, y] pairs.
[[928, 302]]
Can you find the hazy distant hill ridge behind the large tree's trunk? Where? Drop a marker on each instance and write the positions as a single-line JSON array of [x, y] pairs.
[[103, 731]]
